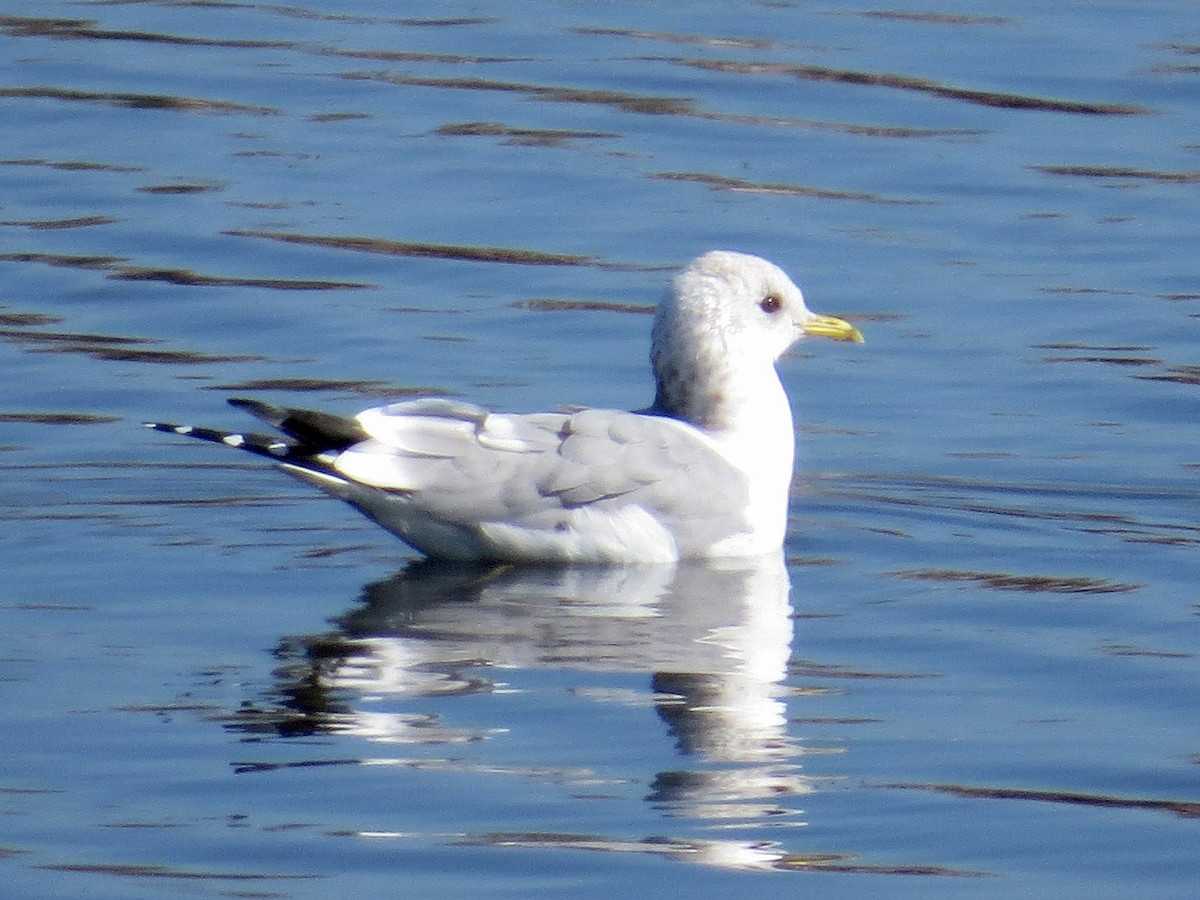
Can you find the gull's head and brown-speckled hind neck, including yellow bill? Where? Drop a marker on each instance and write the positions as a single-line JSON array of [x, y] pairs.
[[727, 321]]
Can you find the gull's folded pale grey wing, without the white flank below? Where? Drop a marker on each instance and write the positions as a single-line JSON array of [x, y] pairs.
[[465, 466]]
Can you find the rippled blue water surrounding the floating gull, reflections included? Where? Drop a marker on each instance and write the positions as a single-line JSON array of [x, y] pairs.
[[974, 676]]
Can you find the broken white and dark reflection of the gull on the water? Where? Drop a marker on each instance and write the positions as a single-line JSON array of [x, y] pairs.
[[713, 638]]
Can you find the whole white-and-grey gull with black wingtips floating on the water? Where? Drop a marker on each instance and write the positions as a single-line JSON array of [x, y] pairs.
[[703, 473]]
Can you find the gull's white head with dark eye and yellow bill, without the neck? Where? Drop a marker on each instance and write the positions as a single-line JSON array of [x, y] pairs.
[[743, 304]]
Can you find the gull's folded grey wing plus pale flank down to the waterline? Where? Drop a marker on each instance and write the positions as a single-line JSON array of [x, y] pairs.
[[551, 485]]
